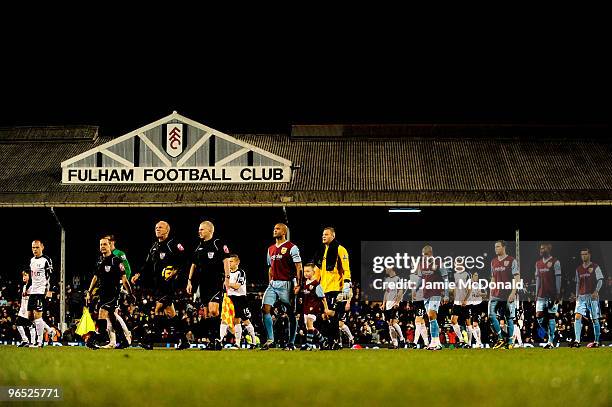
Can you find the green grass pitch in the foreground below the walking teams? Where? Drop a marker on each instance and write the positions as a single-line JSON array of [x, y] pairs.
[[135, 377]]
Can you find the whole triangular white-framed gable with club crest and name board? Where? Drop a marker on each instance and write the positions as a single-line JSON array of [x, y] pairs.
[[175, 149]]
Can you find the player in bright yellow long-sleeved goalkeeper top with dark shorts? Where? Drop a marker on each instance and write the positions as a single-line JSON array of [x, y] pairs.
[[332, 267]]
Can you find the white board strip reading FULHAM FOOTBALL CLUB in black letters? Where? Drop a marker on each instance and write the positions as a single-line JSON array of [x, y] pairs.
[[155, 175]]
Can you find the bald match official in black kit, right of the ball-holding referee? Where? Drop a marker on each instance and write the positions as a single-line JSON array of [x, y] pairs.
[[209, 265]]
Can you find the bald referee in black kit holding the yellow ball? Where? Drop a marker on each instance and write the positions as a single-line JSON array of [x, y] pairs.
[[164, 261]]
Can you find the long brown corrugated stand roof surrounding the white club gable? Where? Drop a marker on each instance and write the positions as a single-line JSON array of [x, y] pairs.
[[347, 170]]
